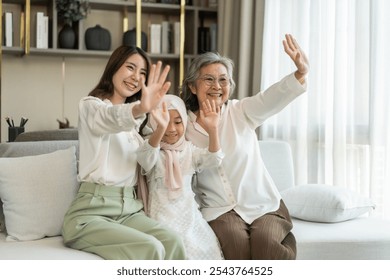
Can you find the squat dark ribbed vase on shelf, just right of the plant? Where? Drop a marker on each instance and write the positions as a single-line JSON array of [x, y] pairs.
[[97, 38]]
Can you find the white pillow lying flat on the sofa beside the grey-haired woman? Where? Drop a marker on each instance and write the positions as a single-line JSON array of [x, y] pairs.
[[325, 203]]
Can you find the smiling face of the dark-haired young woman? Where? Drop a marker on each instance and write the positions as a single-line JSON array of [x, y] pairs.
[[129, 78]]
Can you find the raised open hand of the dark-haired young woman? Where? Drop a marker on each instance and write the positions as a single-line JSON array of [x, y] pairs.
[[156, 89]]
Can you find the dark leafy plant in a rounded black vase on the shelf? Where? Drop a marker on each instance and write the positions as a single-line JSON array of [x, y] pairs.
[[69, 12]]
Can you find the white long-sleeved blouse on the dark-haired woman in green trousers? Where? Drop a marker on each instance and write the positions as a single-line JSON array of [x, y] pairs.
[[108, 140]]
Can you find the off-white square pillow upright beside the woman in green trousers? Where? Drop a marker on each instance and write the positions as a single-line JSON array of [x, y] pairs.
[[36, 192]]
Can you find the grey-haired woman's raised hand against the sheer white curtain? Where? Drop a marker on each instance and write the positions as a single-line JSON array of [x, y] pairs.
[[299, 58]]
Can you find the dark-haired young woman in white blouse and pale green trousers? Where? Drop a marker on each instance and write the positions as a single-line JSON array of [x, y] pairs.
[[106, 217]]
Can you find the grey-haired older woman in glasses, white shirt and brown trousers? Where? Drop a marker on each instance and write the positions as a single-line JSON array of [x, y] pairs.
[[239, 199]]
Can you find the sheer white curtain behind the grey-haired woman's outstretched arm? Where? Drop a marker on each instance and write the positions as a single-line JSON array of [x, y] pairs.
[[339, 130]]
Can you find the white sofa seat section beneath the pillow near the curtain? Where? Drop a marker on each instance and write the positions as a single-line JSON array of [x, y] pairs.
[[363, 238]]
